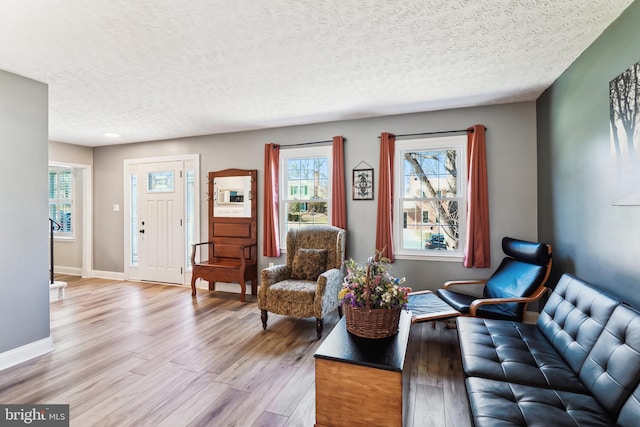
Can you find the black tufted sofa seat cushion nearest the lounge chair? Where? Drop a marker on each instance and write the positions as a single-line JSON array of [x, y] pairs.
[[513, 352]]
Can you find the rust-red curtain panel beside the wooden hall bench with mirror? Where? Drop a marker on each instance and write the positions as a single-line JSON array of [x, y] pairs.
[[271, 233]]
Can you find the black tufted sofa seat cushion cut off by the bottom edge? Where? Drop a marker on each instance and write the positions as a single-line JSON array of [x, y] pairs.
[[498, 403]]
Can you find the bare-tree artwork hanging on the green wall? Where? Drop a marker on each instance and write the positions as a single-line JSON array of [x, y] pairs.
[[624, 113]]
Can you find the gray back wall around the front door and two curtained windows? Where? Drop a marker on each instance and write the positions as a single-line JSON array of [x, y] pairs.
[[511, 151]]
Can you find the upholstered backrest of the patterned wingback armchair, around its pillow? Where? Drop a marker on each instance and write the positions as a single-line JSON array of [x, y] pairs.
[[318, 237]]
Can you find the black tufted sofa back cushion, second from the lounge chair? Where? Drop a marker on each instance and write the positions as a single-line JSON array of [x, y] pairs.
[[611, 370]]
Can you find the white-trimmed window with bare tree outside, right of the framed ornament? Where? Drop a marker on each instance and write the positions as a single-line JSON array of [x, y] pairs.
[[430, 181]]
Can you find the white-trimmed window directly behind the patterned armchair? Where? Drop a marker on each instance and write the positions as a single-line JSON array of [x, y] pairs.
[[305, 188]]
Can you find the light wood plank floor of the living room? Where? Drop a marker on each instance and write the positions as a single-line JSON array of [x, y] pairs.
[[144, 354]]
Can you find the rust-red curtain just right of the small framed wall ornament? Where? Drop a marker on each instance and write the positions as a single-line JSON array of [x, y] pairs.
[[384, 225]]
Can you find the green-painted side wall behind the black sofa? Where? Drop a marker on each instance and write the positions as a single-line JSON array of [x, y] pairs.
[[592, 239]]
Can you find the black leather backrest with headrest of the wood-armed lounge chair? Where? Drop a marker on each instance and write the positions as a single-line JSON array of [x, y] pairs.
[[524, 270]]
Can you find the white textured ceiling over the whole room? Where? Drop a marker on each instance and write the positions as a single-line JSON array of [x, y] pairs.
[[159, 69]]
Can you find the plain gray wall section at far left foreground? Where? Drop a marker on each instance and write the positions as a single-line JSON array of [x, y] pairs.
[[24, 266]]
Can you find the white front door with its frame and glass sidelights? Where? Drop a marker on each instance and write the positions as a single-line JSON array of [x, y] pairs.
[[162, 208]]
